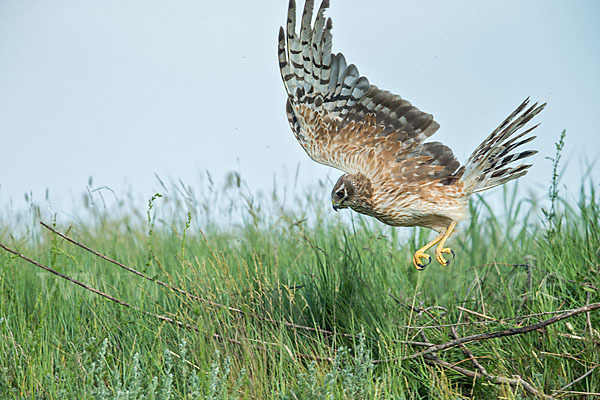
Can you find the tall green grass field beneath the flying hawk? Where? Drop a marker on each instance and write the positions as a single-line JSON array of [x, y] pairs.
[[293, 261]]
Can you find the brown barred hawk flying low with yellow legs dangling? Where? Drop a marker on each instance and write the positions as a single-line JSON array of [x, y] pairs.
[[379, 139]]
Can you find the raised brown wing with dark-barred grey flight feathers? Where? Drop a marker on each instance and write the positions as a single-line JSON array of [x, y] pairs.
[[343, 121]]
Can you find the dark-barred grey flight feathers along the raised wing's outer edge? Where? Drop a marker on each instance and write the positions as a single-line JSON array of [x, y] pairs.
[[315, 77]]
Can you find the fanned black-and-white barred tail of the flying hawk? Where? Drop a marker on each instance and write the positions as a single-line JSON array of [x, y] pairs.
[[489, 165]]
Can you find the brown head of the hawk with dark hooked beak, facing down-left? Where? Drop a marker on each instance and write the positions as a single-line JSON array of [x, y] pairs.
[[351, 191]]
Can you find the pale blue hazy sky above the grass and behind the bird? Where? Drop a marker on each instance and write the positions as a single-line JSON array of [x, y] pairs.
[[123, 90]]
